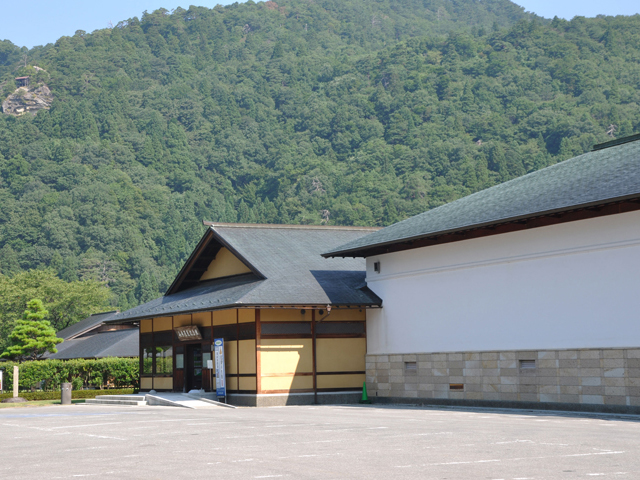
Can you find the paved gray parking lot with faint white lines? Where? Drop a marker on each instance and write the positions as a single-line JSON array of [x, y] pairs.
[[332, 442]]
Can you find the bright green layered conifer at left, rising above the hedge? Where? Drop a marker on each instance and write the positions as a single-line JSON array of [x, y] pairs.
[[32, 335]]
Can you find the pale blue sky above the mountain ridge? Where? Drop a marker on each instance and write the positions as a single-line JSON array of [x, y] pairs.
[[41, 24]]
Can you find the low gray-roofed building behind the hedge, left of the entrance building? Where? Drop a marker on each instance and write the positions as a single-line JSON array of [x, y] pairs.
[[93, 338]]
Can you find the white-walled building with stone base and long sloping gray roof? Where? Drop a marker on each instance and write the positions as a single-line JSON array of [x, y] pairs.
[[524, 292]]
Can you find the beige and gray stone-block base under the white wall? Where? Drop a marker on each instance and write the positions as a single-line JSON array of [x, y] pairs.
[[606, 377]]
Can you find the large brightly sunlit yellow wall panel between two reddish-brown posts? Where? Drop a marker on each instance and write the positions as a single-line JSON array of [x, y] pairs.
[[286, 355]]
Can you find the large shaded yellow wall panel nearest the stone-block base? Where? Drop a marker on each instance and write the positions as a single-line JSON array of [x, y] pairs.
[[340, 354]]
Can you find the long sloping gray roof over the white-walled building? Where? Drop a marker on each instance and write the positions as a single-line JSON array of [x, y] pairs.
[[601, 176]]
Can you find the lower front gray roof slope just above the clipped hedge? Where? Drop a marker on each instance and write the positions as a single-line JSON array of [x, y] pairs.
[[117, 343]]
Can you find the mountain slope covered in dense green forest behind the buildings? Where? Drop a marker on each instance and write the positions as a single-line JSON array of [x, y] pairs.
[[305, 111]]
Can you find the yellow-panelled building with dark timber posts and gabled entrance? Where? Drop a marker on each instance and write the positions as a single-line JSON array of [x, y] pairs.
[[293, 322]]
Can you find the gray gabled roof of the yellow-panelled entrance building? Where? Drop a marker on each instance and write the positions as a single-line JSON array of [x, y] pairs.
[[286, 269]]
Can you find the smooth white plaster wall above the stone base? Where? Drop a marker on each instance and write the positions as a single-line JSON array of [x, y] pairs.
[[573, 285]]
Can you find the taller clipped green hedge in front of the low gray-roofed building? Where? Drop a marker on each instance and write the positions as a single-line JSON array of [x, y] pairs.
[[47, 375]]
